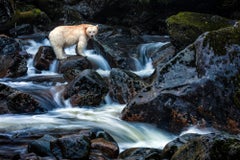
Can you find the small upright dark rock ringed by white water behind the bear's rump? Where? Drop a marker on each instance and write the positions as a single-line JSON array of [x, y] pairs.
[[44, 58]]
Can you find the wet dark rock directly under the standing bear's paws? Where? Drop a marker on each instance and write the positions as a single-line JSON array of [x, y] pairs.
[[73, 66]]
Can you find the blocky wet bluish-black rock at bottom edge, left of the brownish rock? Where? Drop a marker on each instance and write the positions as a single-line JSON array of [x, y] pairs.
[[71, 147]]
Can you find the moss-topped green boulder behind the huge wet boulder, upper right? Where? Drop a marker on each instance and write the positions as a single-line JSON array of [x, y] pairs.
[[185, 27]]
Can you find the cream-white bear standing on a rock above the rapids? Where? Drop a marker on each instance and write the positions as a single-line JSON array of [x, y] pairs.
[[65, 36]]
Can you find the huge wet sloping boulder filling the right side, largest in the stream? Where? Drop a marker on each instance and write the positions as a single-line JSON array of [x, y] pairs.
[[198, 86]]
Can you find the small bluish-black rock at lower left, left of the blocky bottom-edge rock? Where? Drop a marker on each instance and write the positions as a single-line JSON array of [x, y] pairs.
[[41, 146]]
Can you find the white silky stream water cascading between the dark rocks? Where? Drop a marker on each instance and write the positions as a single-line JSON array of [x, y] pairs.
[[64, 116]]
